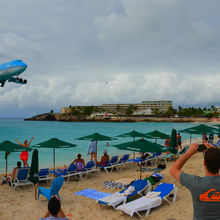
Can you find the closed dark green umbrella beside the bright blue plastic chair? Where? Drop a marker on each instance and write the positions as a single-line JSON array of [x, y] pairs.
[[34, 178]]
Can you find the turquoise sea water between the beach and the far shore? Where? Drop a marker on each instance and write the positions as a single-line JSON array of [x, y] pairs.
[[11, 129]]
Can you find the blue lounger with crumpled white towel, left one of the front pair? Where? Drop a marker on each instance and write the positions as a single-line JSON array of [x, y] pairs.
[[139, 186]]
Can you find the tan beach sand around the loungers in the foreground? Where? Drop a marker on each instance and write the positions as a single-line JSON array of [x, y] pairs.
[[20, 203]]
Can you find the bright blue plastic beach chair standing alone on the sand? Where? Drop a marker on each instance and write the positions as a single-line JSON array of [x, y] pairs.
[[54, 189]]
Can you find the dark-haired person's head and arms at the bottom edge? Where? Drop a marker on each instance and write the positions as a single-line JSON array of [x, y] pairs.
[[54, 210]]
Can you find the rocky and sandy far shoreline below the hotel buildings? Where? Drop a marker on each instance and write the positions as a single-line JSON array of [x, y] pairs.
[[71, 118]]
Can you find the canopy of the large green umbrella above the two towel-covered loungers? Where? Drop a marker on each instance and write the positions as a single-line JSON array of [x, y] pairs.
[[141, 145]]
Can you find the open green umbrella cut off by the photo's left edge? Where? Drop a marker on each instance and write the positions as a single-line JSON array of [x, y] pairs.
[[8, 147]]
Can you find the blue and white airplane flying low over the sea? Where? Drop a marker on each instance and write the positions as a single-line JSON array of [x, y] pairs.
[[10, 72]]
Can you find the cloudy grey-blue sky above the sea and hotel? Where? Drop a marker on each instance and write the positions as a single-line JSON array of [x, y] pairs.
[[83, 52]]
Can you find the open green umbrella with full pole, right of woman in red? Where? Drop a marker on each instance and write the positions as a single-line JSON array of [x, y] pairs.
[[54, 143]]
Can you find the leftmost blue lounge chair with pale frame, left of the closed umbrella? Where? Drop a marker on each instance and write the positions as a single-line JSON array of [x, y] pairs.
[[21, 178]]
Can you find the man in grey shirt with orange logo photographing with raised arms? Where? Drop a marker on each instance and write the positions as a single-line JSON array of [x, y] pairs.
[[205, 190]]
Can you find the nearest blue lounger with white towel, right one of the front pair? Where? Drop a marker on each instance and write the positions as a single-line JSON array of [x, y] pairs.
[[151, 200]]
